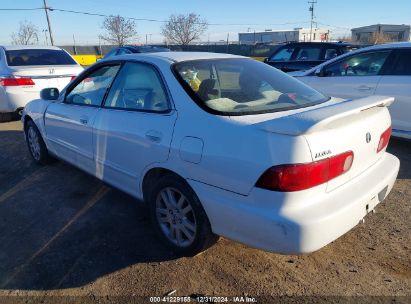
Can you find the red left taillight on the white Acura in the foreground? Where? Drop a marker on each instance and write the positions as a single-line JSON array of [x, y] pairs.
[[296, 177]]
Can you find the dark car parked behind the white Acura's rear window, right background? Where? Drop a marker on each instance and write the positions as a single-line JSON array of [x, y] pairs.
[[305, 55]]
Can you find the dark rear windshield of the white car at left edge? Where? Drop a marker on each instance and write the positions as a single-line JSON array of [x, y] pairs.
[[38, 57]]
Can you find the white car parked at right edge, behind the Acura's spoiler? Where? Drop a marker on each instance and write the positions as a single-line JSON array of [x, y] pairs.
[[378, 70]]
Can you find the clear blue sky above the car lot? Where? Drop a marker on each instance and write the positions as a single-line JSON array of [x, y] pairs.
[[228, 16]]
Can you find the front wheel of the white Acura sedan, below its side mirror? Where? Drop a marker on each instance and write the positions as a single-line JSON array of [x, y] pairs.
[[36, 145]]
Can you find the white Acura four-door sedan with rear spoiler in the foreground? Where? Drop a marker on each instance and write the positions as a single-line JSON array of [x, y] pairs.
[[218, 144]]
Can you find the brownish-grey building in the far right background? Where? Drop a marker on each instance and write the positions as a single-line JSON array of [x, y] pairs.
[[393, 32]]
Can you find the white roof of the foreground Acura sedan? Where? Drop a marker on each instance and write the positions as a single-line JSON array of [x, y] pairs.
[[179, 56]]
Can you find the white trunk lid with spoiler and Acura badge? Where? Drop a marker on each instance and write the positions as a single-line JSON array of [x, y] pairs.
[[354, 125]]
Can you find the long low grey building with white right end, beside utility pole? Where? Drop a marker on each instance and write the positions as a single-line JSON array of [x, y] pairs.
[[281, 36]]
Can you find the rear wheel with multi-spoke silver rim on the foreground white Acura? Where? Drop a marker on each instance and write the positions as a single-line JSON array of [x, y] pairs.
[[178, 217]]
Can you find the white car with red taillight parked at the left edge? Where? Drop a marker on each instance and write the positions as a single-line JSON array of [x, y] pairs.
[[26, 70]]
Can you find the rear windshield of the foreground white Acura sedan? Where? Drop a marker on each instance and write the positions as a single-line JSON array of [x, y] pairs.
[[243, 87]]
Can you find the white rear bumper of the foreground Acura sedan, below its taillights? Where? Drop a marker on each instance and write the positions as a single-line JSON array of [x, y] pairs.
[[286, 223]]
